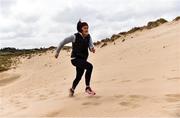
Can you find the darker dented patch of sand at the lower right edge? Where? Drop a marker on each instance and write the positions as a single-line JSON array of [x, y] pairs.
[[173, 97]]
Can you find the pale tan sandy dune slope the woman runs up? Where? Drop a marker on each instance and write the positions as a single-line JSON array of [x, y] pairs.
[[138, 77]]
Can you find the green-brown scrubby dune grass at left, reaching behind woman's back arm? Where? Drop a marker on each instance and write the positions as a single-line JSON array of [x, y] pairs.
[[10, 57]]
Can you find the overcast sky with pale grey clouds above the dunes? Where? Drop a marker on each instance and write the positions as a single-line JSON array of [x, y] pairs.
[[44, 23]]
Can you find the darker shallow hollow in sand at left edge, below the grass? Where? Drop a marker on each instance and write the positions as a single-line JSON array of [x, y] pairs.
[[6, 79]]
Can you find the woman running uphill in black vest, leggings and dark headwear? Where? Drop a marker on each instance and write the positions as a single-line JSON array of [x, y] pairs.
[[81, 42]]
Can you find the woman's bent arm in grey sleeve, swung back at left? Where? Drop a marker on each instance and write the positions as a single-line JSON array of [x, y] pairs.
[[64, 42]]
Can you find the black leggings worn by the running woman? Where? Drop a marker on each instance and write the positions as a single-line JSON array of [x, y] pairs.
[[81, 65]]
